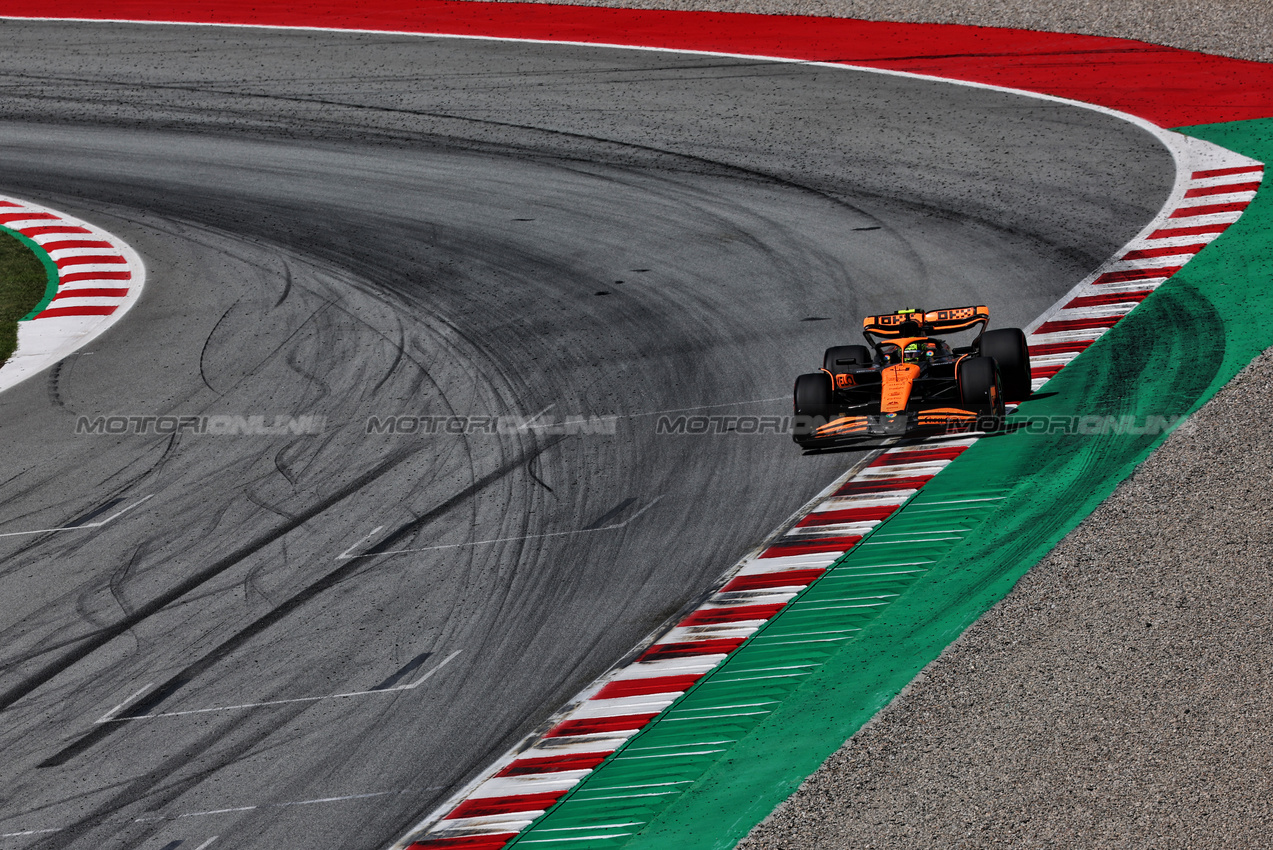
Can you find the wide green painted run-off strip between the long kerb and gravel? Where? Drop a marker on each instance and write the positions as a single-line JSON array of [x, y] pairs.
[[724, 756]]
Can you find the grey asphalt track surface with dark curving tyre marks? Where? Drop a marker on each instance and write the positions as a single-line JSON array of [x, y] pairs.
[[349, 226]]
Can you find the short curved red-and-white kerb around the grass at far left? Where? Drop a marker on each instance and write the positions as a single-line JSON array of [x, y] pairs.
[[99, 281]]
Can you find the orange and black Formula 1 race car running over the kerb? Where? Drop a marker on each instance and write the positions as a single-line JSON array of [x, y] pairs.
[[912, 382]]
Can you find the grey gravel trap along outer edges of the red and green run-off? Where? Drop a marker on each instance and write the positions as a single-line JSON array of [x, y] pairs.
[[1121, 695]]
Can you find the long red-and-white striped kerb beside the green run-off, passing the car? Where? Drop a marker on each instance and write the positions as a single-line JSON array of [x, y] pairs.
[[1213, 189]]
